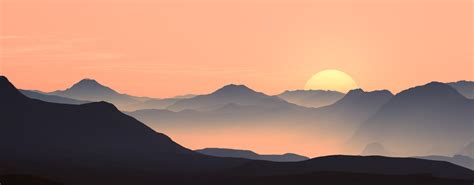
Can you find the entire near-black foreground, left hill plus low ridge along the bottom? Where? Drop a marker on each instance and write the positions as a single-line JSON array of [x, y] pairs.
[[95, 144]]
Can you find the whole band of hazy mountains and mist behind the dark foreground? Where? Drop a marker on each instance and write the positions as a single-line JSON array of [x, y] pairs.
[[239, 109]]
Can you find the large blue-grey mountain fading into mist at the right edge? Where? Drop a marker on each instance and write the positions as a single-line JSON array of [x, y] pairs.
[[429, 119]]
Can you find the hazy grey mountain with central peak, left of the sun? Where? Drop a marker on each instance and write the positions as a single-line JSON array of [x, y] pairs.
[[237, 94]]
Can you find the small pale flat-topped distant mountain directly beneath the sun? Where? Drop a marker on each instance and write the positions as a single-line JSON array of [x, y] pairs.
[[311, 98]]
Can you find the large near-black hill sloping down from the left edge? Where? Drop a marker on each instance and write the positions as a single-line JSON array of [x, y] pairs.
[[73, 141]]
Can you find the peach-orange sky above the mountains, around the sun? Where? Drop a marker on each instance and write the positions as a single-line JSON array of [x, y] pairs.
[[167, 48]]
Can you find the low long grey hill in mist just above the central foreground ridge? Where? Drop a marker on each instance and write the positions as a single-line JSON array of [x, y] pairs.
[[247, 154]]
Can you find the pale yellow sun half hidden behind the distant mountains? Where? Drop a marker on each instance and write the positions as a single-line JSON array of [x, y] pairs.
[[334, 80]]
